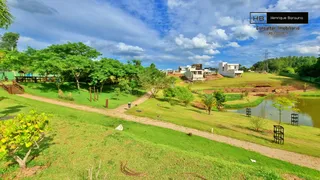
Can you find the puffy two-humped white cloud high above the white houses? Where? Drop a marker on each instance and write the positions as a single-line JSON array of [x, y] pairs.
[[198, 41]]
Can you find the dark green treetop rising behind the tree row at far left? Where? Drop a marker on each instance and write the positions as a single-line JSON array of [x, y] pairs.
[[9, 41]]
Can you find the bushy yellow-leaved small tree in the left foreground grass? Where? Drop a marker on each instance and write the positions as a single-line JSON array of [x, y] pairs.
[[21, 135]]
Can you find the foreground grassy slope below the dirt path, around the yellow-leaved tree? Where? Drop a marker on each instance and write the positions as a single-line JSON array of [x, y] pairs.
[[82, 139]]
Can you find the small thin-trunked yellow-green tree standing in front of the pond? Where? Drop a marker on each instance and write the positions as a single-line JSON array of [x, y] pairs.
[[283, 103]]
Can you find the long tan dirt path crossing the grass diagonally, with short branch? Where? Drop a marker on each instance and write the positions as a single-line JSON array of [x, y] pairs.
[[294, 158]]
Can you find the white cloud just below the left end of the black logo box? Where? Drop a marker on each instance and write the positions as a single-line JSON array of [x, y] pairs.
[[244, 32]]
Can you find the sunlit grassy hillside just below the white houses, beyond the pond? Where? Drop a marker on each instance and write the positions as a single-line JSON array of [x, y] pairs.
[[249, 79]]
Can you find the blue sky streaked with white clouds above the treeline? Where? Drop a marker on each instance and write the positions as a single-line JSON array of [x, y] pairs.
[[167, 32]]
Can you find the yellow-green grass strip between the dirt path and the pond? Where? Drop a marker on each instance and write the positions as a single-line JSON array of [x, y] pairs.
[[301, 139]]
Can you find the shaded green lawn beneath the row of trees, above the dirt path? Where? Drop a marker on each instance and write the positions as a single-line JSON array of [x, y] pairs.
[[49, 90]]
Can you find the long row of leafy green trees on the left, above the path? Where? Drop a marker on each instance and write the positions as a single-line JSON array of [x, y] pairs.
[[80, 63]]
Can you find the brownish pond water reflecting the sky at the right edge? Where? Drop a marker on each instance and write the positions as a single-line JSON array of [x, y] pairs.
[[309, 114]]
